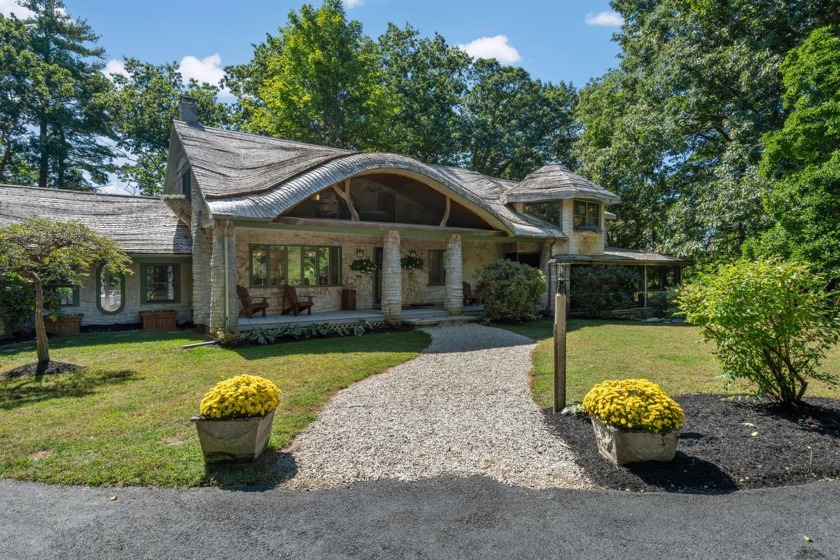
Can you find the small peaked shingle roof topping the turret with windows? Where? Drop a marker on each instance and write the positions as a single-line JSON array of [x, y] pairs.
[[556, 182]]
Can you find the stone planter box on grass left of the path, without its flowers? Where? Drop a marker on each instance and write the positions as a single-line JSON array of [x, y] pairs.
[[242, 439]]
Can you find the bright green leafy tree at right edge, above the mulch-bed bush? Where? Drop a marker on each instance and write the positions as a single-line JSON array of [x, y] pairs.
[[803, 158]]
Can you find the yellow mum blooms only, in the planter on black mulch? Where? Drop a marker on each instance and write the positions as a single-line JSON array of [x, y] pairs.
[[636, 405]]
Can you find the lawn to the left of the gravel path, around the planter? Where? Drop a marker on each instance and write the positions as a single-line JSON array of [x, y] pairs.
[[124, 419]]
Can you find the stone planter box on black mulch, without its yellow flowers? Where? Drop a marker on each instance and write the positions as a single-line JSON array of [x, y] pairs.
[[621, 446]]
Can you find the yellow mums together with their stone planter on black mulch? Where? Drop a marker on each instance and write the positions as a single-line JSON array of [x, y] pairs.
[[634, 420]]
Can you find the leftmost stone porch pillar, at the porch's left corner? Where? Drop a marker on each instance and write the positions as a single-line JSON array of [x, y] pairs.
[[224, 303]]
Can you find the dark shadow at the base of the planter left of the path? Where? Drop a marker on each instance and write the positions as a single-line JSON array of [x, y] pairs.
[[273, 467]]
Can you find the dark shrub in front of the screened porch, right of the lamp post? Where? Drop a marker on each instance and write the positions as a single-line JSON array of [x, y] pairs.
[[596, 289]]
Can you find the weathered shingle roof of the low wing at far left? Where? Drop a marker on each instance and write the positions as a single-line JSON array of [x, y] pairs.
[[139, 225]]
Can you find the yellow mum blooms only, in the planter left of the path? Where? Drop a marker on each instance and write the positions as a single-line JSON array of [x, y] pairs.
[[241, 396]]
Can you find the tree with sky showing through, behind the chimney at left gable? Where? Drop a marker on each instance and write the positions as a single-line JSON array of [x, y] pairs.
[[145, 102]]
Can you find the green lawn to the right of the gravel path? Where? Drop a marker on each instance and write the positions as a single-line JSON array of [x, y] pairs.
[[672, 355]]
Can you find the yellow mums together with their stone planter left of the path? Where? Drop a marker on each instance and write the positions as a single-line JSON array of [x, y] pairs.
[[236, 418]]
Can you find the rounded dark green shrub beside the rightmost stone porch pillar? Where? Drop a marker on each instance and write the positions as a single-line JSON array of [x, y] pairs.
[[510, 290]]
